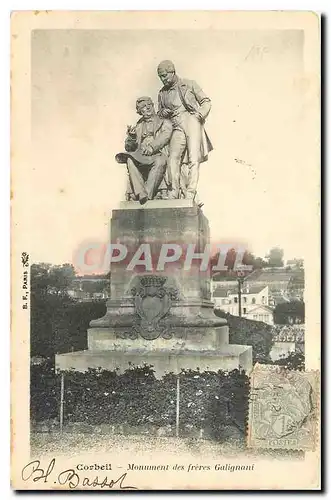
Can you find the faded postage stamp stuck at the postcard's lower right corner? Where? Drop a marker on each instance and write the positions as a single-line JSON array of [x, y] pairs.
[[283, 408]]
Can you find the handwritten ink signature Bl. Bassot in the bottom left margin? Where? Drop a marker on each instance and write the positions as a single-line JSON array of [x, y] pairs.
[[69, 477]]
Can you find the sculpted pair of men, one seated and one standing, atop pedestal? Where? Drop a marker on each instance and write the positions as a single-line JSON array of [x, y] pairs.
[[164, 150]]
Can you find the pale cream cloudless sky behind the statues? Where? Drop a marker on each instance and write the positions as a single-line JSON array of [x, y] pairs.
[[257, 183]]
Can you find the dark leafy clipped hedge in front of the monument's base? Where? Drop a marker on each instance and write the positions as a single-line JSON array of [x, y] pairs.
[[208, 400]]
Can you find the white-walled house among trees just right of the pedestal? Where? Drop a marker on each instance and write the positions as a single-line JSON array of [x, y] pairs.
[[253, 298]]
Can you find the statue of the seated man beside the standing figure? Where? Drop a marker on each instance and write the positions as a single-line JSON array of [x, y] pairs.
[[146, 152]]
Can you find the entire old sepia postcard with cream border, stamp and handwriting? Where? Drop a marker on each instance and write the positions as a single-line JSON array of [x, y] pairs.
[[165, 250]]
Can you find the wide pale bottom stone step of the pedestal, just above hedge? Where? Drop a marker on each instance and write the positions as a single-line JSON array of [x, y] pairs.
[[163, 361]]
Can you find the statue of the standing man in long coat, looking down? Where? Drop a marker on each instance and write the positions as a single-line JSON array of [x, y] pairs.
[[186, 105]]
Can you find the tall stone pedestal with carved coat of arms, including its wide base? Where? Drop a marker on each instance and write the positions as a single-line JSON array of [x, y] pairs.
[[162, 317]]
